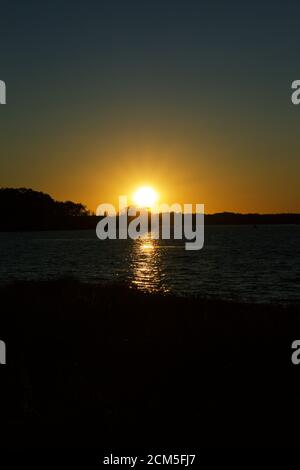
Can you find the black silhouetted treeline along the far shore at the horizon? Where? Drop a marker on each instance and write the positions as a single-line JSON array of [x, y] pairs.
[[26, 209]]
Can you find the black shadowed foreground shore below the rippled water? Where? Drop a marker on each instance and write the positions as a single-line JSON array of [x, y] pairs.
[[91, 365]]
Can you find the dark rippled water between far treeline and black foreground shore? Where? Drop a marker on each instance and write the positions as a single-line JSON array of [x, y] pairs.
[[237, 262]]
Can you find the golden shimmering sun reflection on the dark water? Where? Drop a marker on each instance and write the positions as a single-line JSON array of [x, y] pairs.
[[146, 265]]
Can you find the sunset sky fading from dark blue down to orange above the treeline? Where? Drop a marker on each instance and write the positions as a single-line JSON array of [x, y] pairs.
[[190, 97]]
